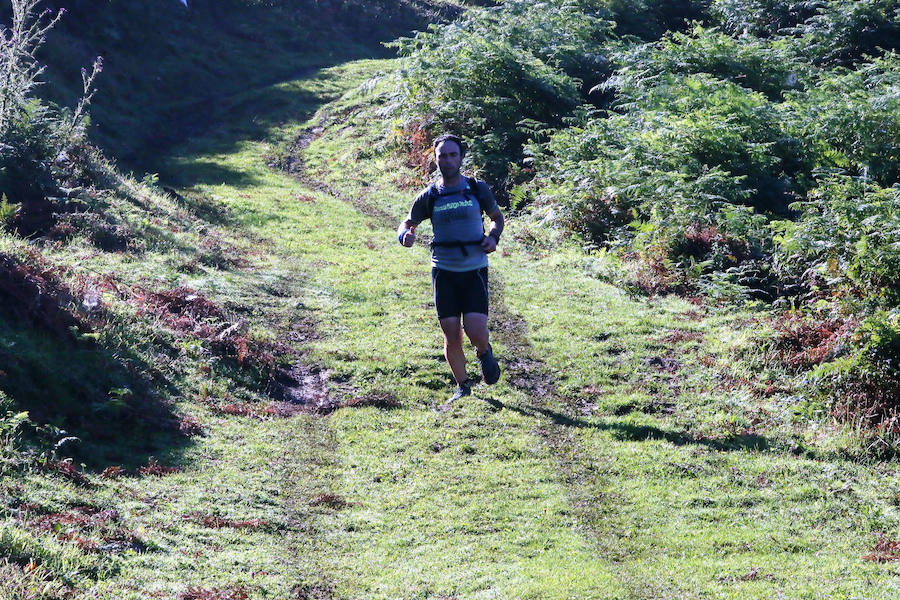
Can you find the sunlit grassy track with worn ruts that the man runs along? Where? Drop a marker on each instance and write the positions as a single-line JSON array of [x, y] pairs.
[[622, 455]]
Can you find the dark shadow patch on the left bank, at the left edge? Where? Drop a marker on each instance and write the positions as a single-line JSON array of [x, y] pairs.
[[77, 388]]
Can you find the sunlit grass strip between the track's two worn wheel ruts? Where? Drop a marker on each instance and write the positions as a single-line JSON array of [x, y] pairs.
[[397, 468]]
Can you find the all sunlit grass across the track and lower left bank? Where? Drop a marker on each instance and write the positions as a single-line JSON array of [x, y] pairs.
[[595, 469]]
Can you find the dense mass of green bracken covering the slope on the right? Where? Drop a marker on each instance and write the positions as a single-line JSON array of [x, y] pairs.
[[744, 156]]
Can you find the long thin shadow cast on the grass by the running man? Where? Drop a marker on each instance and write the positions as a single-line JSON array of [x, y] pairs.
[[638, 433]]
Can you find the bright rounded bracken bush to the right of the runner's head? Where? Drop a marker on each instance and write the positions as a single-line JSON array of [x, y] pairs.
[[685, 149]]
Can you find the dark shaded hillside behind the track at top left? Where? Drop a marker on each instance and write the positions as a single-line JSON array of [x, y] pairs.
[[167, 69]]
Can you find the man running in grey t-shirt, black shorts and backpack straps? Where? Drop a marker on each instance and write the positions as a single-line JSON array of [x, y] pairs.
[[459, 257]]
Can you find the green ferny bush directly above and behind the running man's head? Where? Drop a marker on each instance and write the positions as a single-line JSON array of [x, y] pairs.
[[498, 69]]
